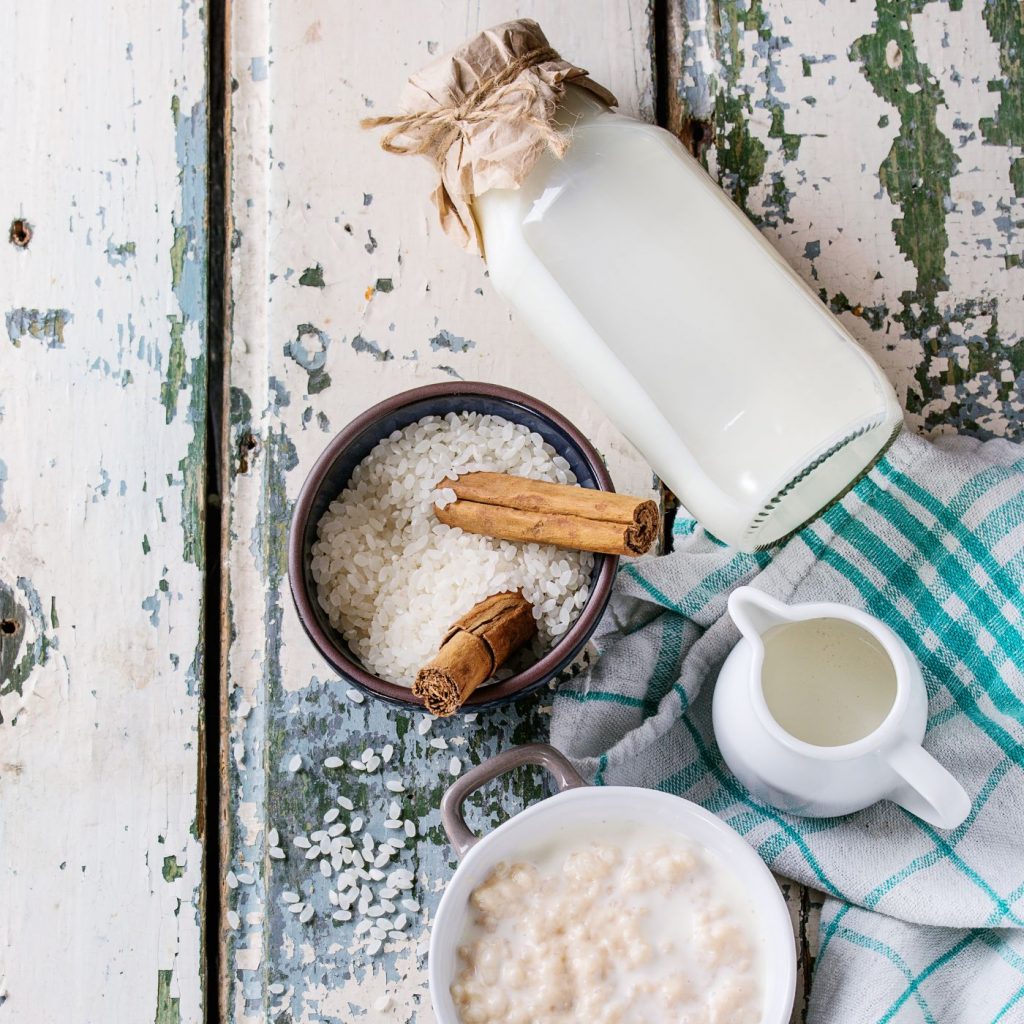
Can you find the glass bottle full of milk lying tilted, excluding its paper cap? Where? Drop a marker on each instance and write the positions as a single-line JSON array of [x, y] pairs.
[[746, 396]]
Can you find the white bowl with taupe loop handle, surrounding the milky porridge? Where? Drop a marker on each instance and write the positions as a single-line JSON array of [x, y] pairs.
[[578, 804]]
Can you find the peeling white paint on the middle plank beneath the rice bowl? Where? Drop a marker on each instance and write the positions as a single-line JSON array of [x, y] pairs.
[[311, 190]]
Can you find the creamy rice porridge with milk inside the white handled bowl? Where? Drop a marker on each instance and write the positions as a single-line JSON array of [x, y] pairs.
[[630, 925]]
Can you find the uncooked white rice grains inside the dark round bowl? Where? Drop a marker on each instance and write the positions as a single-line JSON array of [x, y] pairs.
[[393, 579]]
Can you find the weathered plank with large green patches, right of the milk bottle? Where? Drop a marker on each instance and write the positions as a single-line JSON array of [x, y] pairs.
[[879, 148]]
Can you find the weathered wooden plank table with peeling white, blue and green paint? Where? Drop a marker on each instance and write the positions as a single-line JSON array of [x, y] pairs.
[[178, 356]]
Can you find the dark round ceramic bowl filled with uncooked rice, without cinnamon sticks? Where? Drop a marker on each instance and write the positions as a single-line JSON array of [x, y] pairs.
[[377, 580]]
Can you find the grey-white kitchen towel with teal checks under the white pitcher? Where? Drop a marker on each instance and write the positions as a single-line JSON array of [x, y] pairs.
[[921, 925]]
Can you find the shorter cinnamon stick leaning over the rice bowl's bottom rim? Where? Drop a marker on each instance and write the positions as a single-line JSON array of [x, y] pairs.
[[474, 650]]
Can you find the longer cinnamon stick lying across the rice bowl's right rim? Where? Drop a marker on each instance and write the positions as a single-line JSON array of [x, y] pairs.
[[516, 508]]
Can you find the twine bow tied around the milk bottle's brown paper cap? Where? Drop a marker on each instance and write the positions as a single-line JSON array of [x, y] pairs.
[[430, 134]]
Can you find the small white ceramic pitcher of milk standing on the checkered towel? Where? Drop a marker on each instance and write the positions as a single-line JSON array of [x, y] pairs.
[[821, 710]]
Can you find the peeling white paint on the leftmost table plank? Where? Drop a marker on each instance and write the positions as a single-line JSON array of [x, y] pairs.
[[99, 789]]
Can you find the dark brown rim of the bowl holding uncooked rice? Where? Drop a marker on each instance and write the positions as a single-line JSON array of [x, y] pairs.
[[499, 693]]
